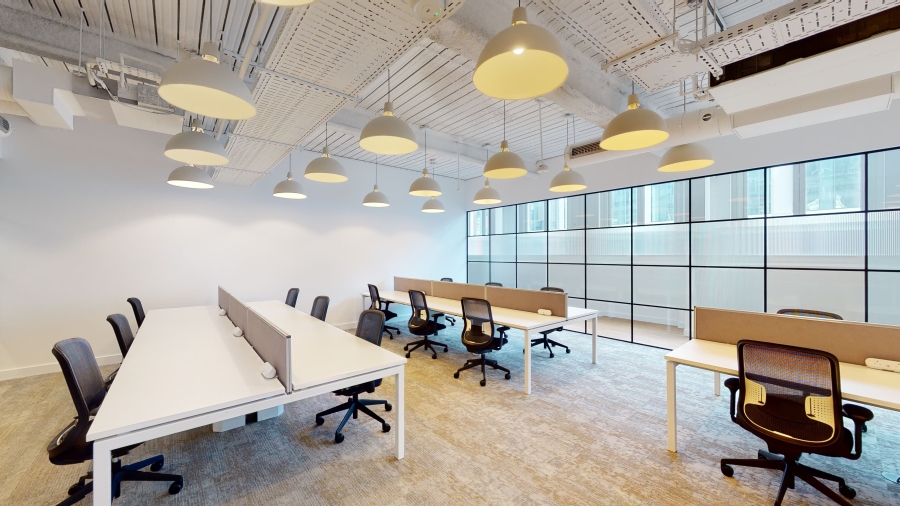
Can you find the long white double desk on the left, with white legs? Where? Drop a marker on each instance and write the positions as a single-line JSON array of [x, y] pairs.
[[185, 370]]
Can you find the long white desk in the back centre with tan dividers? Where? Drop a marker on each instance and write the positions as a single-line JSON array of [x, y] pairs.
[[529, 323]]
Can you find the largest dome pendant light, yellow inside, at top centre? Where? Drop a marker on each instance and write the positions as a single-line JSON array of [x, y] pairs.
[[522, 61]]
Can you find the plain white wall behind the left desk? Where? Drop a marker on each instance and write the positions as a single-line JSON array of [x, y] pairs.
[[87, 220]]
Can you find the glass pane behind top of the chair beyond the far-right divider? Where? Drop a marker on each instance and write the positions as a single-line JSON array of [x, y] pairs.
[[839, 292]]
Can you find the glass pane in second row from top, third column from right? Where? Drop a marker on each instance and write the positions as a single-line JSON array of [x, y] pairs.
[[729, 243]]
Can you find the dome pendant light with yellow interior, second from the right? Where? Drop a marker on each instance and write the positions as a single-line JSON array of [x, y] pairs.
[[635, 128]]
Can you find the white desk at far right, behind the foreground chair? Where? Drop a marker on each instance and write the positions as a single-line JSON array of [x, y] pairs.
[[858, 383]]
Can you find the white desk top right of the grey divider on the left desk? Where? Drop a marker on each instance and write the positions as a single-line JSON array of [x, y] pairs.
[[322, 353]]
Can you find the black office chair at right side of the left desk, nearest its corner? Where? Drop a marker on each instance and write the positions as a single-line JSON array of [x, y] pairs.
[[371, 328]]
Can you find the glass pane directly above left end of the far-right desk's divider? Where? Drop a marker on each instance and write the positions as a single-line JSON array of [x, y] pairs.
[[739, 289]]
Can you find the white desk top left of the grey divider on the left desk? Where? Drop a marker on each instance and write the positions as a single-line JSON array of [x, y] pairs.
[[183, 362]]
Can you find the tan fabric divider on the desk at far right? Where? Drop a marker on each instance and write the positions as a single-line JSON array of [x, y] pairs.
[[850, 342]]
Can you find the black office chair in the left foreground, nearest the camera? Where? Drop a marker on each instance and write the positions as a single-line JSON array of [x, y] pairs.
[[82, 374]]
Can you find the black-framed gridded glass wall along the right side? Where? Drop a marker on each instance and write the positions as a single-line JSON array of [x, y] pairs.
[[819, 235]]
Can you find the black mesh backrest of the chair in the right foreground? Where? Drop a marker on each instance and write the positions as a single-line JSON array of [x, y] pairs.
[[790, 394]]
